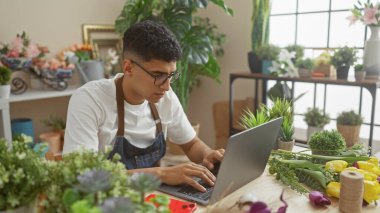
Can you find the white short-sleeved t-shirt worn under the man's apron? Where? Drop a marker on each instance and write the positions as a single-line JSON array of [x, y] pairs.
[[92, 119]]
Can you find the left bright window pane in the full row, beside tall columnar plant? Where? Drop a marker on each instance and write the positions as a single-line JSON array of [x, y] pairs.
[[282, 30]]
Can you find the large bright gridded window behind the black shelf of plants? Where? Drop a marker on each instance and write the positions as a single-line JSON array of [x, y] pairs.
[[318, 25]]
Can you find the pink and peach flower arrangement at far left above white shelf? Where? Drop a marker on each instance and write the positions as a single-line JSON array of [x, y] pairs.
[[19, 54]]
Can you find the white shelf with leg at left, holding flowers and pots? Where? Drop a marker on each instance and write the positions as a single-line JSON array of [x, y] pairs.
[[29, 95]]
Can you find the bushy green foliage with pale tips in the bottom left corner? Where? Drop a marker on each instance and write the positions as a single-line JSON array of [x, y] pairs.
[[23, 175]]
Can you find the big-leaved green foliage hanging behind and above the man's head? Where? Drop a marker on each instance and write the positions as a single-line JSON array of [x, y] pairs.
[[196, 38]]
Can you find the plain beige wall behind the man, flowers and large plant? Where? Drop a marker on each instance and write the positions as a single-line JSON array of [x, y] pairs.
[[57, 24]]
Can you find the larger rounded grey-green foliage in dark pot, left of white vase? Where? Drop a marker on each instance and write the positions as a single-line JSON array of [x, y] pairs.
[[344, 57]]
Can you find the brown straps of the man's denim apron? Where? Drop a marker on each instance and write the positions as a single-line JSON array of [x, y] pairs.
[[120, 109]]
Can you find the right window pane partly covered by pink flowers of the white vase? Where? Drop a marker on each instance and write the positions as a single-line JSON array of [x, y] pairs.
[[342, 34]]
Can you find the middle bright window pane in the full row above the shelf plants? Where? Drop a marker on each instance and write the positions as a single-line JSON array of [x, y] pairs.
[[312, 30]]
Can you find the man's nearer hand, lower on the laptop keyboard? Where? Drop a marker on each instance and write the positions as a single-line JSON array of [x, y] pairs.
[[184, 173]]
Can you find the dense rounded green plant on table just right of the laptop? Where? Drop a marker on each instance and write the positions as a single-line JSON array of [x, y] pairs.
[[327, 142]]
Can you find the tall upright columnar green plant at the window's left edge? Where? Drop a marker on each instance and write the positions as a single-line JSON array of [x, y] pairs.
[[260, 24]]
